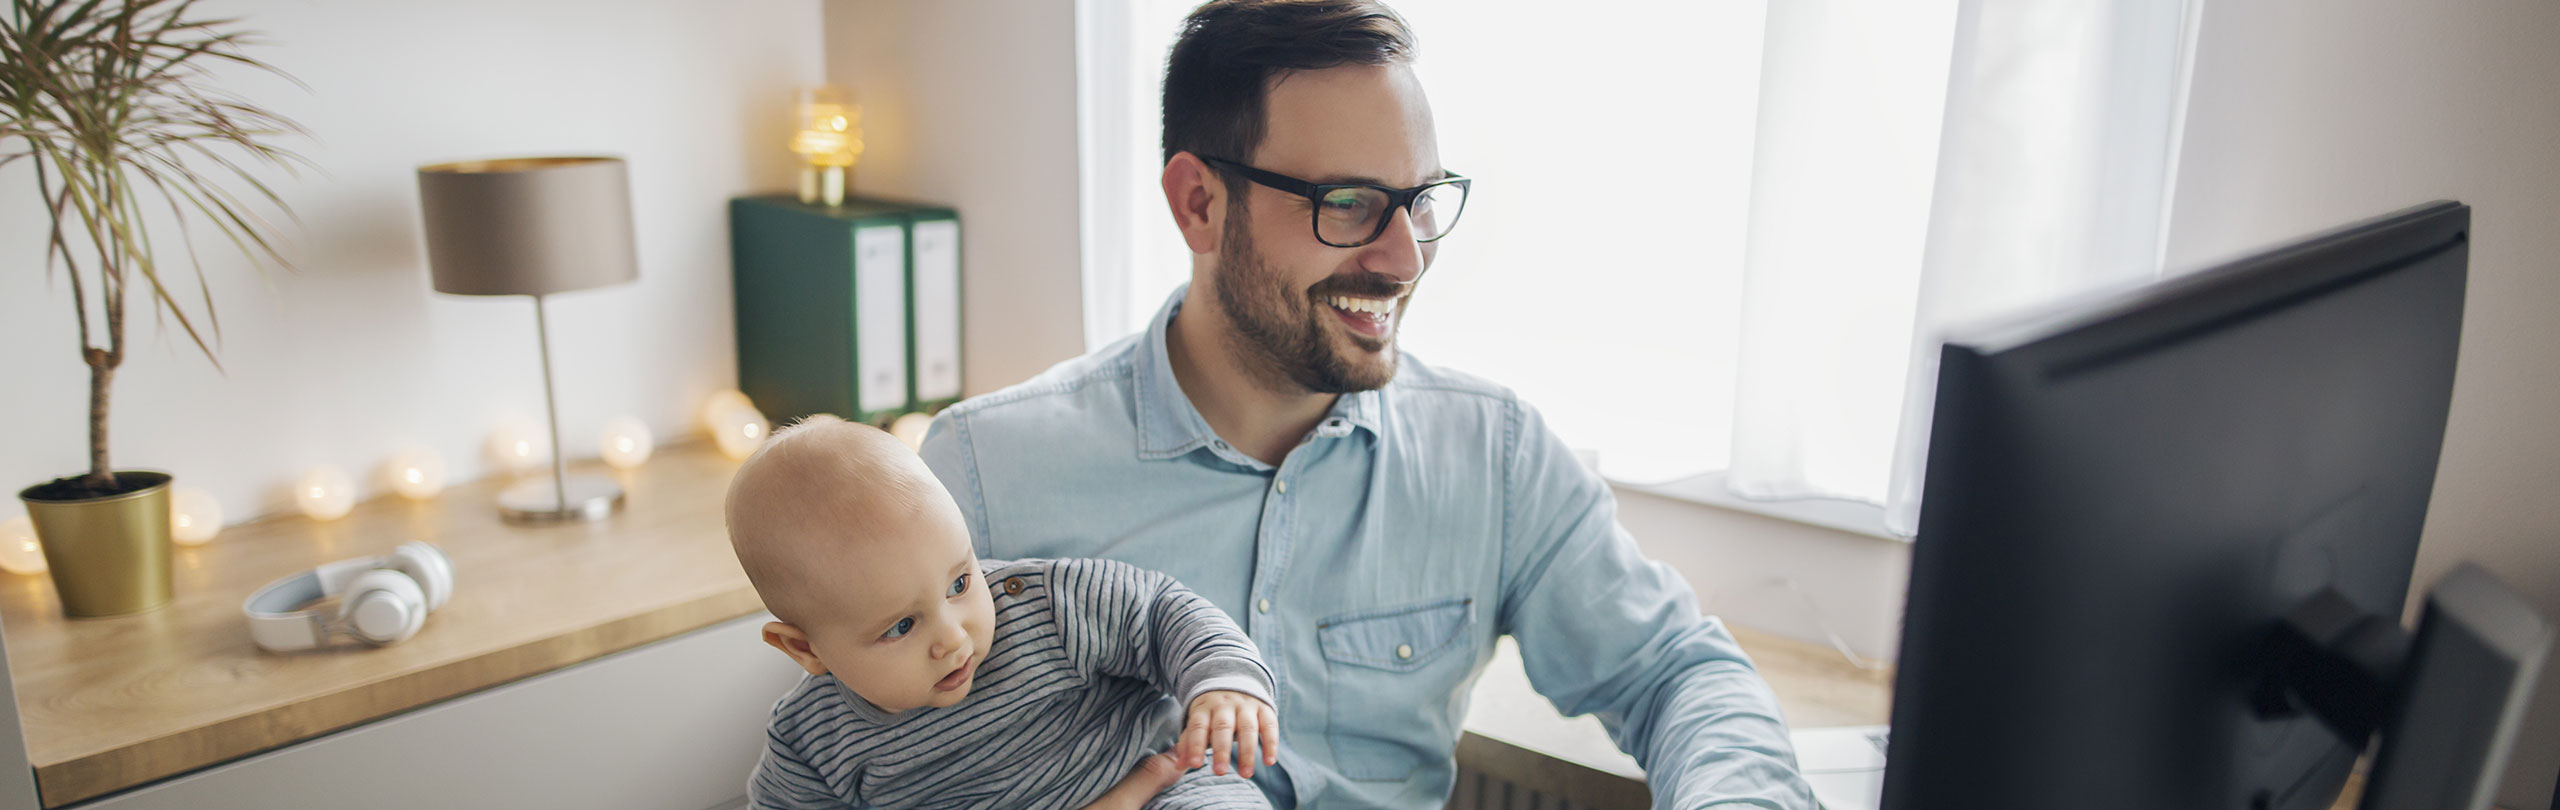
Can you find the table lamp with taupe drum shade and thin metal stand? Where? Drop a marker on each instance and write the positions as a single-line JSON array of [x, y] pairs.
[[534, 227]]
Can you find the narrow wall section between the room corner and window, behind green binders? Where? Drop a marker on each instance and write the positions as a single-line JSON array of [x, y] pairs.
[[972, 104]]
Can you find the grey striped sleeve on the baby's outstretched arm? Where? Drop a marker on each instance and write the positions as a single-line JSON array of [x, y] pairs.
[[1140, 624]]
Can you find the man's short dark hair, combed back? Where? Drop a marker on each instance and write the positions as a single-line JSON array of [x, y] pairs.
[[1217, 78]]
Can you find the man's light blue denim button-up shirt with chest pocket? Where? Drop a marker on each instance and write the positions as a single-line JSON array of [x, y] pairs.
[[1376, 568]]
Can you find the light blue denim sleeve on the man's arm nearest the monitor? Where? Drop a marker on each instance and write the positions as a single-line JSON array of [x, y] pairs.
[[1606, 632]]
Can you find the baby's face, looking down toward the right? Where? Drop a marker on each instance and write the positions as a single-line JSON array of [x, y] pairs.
[[918, 616]]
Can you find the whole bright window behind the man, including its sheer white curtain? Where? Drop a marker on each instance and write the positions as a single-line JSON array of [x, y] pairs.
[[1724, 235]]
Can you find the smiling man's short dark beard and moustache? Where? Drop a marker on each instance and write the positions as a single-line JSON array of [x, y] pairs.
[[1281, 332]]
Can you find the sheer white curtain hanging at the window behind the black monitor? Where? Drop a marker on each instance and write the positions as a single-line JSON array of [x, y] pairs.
[[2052, 173]]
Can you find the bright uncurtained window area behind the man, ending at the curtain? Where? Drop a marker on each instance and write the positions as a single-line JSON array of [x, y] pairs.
[[1599, 270]]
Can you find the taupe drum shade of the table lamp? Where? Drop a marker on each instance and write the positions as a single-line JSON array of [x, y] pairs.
[[529, 227]]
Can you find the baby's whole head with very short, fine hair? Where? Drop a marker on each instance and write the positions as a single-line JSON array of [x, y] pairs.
[[864, 560]]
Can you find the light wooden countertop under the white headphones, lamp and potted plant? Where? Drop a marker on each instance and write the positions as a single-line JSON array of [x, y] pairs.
[[127, 701]]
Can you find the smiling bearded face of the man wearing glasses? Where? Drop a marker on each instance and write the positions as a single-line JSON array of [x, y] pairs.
[[1315, 314]]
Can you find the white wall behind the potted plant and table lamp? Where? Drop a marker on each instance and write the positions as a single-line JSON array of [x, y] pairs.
[[352, 358]]
